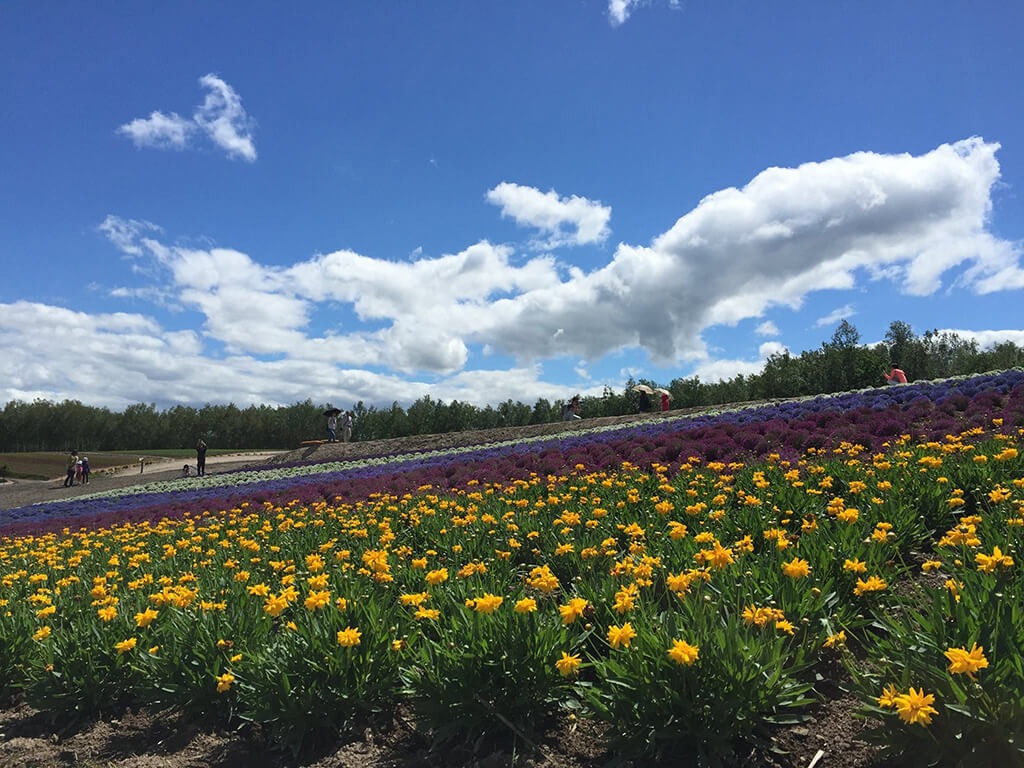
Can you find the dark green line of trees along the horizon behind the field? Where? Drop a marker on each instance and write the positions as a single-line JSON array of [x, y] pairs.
[[840, 364]]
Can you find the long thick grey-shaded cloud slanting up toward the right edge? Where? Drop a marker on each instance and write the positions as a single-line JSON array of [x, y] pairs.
[[788, 233]]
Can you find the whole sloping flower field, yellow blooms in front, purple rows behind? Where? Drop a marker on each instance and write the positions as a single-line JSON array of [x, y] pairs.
[[693, 583]]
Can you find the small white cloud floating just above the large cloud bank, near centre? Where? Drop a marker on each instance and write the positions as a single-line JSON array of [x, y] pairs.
[[587, 221]]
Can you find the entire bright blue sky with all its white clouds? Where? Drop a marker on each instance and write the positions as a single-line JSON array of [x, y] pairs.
[[230, 202]]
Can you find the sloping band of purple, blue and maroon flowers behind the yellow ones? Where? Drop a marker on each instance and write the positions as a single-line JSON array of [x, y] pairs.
[[869, 418]]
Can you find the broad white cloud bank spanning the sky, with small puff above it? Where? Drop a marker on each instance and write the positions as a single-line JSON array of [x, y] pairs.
[[789, 233]]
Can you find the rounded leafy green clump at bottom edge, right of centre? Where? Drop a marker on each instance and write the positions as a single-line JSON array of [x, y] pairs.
[[747, 677]]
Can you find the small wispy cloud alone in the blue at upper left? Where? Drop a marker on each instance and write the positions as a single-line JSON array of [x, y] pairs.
[[221, 118]]
